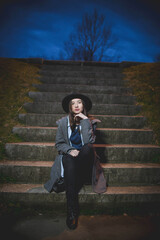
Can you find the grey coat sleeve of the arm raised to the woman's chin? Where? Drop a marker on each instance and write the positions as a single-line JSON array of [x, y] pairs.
[[88, 131]]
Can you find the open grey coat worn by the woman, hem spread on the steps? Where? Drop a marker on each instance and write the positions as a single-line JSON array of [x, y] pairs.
[[63, 145]]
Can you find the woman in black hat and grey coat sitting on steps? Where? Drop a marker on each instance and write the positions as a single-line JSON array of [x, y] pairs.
[[77, 161]]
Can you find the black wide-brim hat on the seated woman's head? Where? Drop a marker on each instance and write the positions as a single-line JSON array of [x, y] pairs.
[[68, 98]]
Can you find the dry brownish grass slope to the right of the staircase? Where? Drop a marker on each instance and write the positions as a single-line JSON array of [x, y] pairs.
[[144, 79]]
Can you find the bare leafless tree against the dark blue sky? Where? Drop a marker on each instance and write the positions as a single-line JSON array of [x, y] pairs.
[[90, 39]]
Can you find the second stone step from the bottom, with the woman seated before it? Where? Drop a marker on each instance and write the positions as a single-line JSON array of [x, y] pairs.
[[116, 174]]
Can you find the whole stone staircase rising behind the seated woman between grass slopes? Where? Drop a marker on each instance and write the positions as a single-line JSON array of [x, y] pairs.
[[124, 143]]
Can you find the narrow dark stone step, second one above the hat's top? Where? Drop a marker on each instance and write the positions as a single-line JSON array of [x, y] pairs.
[[96, 81]]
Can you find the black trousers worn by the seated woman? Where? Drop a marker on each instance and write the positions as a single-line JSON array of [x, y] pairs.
[[77, 171]]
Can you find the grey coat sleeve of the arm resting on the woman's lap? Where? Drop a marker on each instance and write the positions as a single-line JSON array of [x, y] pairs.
[[61, 143]]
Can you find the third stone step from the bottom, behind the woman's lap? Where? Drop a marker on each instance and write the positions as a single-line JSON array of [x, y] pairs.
[[110, 153]]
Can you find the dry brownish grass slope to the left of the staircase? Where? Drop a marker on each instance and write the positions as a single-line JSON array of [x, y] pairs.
[[16, 79]]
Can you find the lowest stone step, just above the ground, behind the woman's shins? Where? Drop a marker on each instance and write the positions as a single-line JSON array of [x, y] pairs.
[[116, 200]]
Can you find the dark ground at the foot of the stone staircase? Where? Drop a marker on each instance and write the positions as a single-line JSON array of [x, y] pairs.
[[39, 225]]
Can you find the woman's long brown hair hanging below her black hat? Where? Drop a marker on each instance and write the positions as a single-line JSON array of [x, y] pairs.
[[72, 120]]
